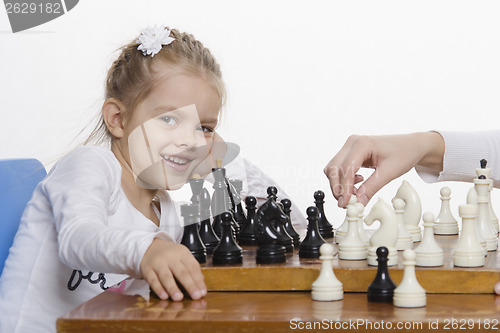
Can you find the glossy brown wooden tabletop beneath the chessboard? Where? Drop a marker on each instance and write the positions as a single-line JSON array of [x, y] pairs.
[[281, 312]]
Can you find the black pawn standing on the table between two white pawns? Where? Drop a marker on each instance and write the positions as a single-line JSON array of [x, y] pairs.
[[382, 287]]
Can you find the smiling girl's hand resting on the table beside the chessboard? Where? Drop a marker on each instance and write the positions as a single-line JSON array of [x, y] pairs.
[[165, 262]]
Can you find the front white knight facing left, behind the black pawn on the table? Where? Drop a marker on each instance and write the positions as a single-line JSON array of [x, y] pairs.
[[386, 235]]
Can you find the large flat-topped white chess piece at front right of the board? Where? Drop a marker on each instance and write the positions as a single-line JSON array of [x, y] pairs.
[[468, 252]]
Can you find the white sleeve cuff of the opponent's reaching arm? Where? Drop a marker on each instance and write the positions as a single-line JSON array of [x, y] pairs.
[[463, 151]]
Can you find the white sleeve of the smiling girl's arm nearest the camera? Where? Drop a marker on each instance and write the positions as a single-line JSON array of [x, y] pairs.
[[82, 189]]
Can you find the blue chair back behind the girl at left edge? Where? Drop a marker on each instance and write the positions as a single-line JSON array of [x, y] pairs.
[[18, 179]]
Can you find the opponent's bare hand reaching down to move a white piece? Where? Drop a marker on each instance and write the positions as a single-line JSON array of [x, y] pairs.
[[391, 156]]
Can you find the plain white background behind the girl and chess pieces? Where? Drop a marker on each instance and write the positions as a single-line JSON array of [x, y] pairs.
[[301, 76]]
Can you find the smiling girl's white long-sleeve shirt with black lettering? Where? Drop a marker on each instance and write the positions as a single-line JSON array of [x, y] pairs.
[[78, 235]]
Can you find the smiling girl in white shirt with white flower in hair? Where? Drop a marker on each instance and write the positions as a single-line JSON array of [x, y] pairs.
[[102, 216]]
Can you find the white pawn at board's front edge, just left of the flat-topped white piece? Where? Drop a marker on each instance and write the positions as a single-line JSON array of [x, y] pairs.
[[428, 252]]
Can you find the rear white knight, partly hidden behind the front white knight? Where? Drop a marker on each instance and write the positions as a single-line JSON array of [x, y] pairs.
[[413, 209]]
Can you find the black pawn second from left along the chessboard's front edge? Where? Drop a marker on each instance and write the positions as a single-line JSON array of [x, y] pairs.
[[227, 252]]
